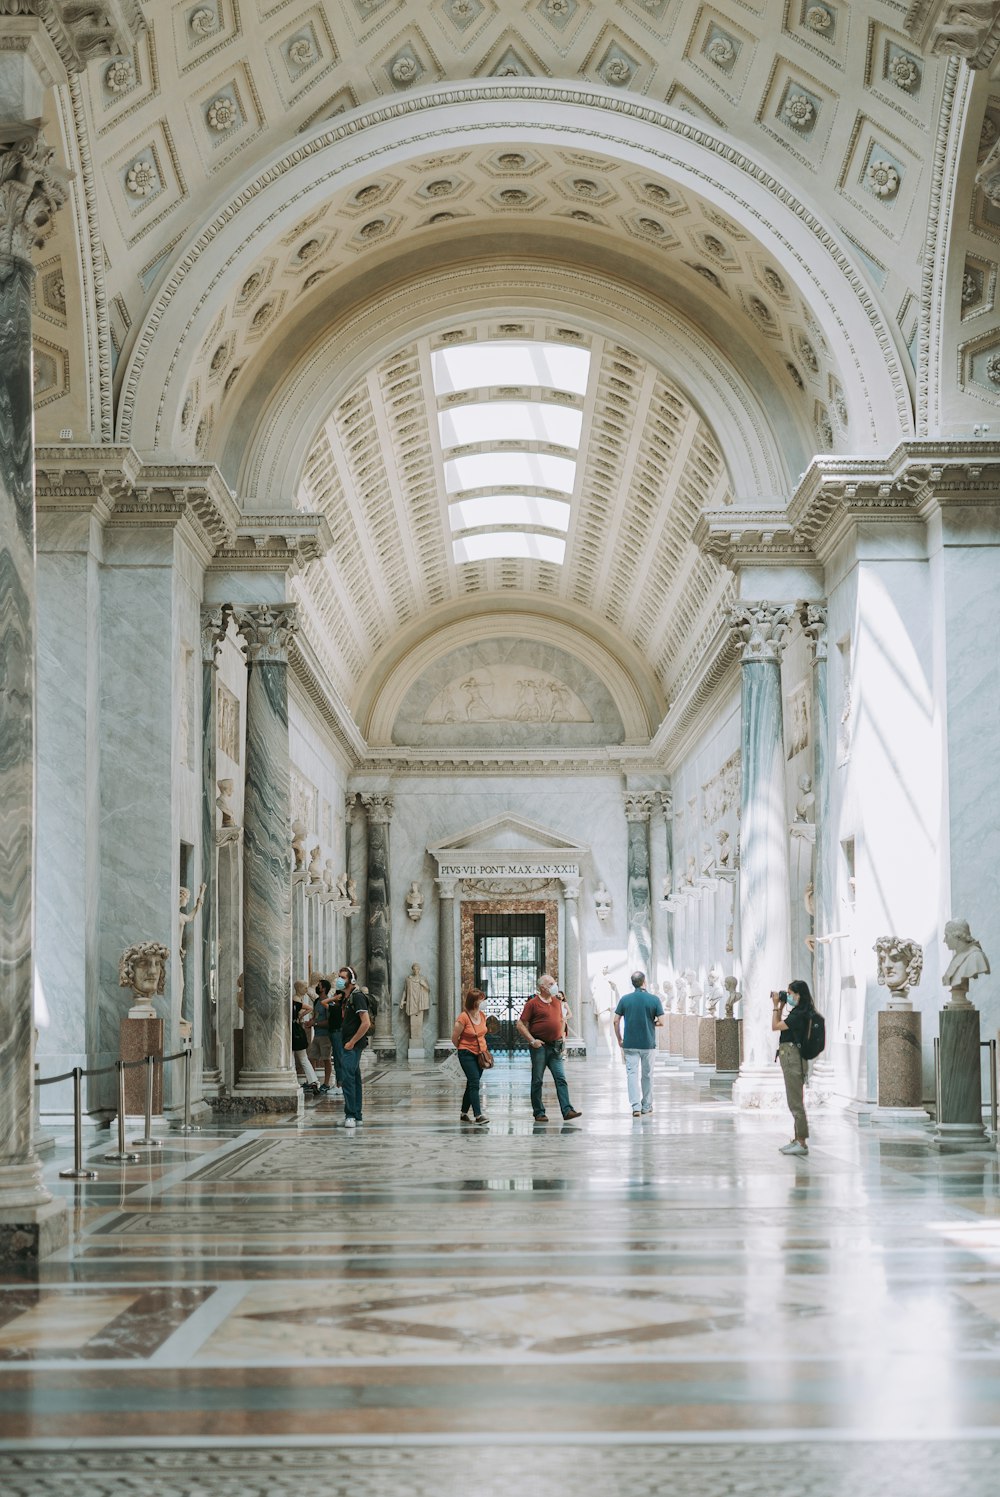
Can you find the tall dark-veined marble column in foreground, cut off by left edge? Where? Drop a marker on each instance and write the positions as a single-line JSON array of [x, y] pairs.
[[31, 192]]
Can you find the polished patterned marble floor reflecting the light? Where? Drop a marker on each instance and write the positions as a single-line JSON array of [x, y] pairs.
[[612, 1306]]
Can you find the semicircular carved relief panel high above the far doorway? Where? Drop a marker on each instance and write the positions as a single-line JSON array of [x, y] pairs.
[[508, 692]]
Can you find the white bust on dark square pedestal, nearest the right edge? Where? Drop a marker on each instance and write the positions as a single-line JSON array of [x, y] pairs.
[[960, 1077]]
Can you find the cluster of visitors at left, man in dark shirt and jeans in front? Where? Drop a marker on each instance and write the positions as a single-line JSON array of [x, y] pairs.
[[330, 1028]]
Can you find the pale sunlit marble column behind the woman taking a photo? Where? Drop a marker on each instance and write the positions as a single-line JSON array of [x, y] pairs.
[[760, 631]]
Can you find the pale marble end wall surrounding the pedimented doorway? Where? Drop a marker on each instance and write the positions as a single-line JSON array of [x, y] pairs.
[[586, 811]]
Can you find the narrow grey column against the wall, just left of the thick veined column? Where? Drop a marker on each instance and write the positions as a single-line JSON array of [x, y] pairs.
[[215, 626]]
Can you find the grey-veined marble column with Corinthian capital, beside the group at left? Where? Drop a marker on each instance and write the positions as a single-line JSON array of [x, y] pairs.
[[267, 1082]]
